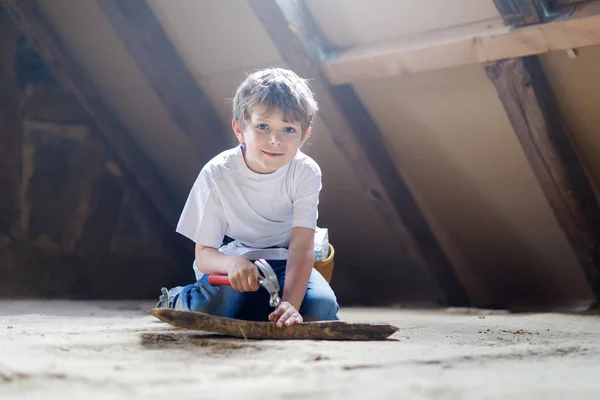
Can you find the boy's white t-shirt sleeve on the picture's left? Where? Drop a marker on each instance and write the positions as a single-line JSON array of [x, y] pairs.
[[203, 219]]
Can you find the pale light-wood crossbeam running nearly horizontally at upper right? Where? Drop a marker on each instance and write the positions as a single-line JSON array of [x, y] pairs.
[[475, 43]]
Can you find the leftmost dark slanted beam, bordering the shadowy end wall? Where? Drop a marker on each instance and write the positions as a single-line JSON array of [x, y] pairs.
[[143, 181]]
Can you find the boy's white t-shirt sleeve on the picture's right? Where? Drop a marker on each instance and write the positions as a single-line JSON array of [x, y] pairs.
[[306, 201]]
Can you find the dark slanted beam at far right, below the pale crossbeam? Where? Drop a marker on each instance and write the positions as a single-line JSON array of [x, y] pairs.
[[525, 94]]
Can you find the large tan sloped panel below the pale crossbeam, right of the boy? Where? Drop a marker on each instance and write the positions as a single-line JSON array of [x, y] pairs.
[[449, 134]]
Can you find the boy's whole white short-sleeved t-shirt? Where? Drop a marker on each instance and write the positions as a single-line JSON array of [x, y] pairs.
[[258, 211]]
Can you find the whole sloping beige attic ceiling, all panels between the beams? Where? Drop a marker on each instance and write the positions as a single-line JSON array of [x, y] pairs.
[[446, 130]]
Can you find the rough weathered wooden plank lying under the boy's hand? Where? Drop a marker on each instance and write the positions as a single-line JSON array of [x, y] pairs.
[[323, 330]]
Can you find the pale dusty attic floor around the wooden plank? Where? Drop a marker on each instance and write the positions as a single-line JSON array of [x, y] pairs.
[[75, 350]]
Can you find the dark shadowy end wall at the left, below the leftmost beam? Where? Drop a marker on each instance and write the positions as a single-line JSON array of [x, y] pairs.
[[68, 227]]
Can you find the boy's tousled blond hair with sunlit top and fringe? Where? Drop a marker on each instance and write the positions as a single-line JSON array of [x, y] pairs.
[[276, 89]]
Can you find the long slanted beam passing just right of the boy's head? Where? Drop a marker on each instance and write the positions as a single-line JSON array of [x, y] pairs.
[[295, 34]]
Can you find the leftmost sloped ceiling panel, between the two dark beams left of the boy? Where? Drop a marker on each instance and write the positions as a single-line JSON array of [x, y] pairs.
[[90, 37]]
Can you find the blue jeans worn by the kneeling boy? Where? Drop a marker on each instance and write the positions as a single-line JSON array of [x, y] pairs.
[[319, 304]]
